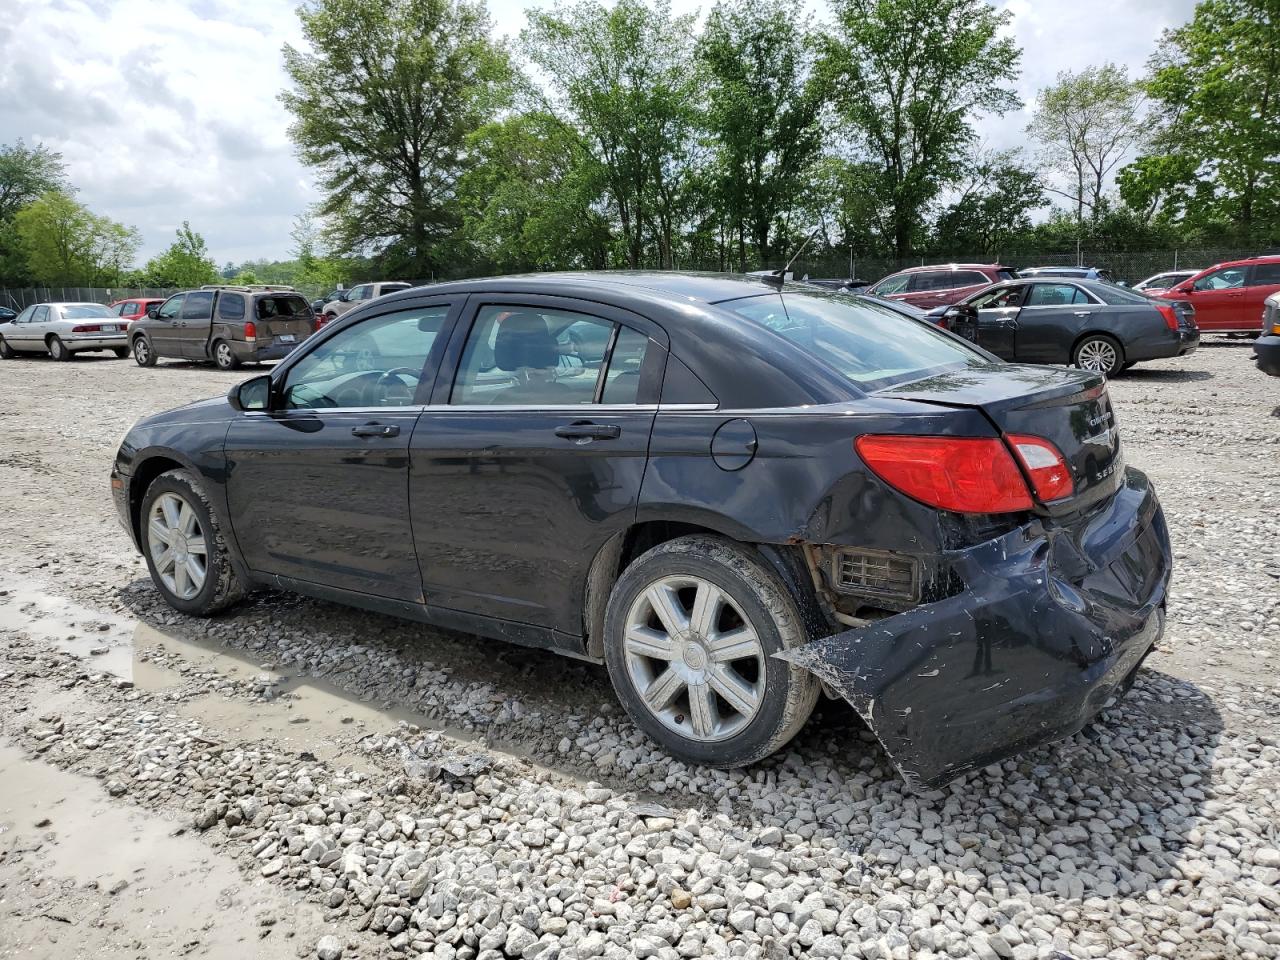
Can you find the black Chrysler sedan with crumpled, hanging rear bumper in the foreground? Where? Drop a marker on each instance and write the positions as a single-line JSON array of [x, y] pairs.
[[753, 491]]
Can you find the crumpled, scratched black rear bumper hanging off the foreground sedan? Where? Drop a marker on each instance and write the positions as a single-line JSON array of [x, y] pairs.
[[1054, 623]]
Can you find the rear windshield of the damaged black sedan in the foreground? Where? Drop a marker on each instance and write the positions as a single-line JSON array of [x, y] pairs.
[[872, 346]]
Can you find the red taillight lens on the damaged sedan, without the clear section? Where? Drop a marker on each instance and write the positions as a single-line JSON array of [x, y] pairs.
[[962, 474]]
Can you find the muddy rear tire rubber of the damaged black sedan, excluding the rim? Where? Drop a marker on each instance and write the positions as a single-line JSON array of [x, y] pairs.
[[758, 598]]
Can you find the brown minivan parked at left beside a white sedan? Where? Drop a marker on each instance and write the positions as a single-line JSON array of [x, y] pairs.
[[230, 326]]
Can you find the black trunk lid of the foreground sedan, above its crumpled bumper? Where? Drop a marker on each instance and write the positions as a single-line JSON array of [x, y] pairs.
[[1068, 408]]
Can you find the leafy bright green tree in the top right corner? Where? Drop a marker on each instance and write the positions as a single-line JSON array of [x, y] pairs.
[[1217, 157]]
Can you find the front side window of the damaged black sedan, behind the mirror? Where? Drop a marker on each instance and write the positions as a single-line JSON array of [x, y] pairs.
[[378, 363]]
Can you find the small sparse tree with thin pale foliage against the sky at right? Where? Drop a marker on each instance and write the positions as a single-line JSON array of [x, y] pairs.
[[1087, 124]]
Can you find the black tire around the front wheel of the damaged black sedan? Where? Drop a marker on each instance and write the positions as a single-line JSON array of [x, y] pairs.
[[221, 587]]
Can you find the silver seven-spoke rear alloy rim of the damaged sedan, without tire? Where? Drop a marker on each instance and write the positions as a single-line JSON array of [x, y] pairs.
[[694, 659]]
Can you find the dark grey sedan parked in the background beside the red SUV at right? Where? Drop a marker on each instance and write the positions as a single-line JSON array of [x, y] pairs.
[[1090, 324]]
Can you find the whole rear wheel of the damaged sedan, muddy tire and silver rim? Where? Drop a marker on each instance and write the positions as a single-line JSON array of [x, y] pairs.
[[689, 639]]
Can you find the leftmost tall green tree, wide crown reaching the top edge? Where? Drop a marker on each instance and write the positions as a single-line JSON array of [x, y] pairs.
[[383, 103]]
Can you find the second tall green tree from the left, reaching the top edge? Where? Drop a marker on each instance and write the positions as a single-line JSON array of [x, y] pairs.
[[624, 80]]
